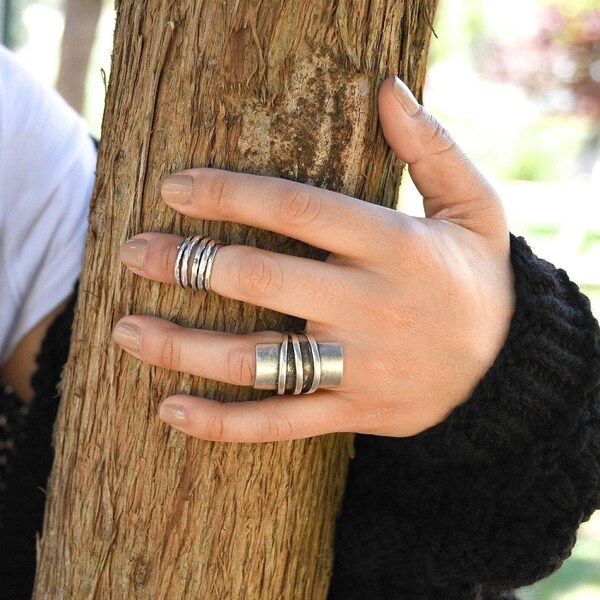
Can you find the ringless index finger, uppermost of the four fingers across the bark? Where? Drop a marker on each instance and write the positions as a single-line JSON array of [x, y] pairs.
[[328, 220]]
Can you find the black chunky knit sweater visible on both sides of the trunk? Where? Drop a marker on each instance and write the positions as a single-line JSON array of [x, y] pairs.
[[485, 502]]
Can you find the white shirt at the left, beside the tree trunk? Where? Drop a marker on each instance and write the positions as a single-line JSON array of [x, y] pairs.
[[47, 163]]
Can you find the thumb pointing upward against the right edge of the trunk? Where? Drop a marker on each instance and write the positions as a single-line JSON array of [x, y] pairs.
[[452, 187]]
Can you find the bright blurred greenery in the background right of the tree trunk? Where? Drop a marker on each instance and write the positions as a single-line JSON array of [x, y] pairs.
[[518, 84]]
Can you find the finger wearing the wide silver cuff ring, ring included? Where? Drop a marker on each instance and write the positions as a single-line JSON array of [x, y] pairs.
[[296, 363]]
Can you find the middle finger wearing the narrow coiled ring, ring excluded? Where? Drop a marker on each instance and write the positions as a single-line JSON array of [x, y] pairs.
[[305, 288]]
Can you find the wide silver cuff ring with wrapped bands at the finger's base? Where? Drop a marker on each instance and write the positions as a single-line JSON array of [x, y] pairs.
[[298, 367]]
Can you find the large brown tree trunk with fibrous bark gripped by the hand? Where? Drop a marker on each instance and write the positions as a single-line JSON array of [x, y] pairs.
[[136, 509]]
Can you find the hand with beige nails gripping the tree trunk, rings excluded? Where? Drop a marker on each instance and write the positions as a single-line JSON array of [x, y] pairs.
[[421, 307]]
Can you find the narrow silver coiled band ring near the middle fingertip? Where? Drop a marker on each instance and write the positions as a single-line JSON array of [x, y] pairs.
[[193, 265]]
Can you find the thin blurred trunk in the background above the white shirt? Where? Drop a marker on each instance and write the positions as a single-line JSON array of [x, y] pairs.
[[81, 21]]
